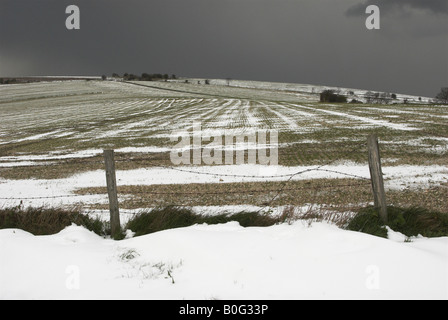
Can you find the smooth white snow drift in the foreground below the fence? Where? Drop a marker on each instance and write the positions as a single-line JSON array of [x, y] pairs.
[[224, 261]]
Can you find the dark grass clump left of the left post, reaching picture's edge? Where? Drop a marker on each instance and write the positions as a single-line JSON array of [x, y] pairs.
[[46, 221]]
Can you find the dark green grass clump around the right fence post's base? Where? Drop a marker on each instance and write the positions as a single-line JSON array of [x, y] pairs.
[[408, 221]]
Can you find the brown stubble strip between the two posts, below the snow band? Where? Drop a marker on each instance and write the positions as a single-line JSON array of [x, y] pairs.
[[299, 192]]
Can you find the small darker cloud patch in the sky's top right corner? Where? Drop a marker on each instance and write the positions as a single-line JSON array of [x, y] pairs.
[[387, 6]]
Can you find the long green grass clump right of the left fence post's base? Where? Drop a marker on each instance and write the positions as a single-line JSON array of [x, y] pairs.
[[164, 218]]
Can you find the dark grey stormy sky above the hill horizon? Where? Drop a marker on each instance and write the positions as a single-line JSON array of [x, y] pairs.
[[303, 41]]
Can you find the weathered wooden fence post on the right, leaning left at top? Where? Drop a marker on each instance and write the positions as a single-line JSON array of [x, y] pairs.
[[376, 174]]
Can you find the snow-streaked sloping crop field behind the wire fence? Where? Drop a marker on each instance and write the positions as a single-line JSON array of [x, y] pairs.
[[57, 130]]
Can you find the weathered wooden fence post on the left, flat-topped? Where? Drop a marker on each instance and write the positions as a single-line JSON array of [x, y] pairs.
[[112, 192]]
